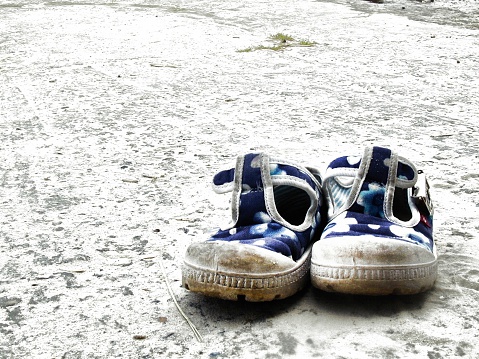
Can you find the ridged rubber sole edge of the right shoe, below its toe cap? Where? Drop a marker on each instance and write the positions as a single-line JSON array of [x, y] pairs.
[[374, 280]]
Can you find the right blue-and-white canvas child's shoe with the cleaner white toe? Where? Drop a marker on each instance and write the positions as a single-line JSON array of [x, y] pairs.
[[379, 237]]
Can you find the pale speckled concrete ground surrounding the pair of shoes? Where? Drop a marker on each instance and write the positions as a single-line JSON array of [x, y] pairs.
[[115, 117]]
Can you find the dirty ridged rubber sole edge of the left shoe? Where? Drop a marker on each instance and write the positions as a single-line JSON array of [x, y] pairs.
[[246, 287]]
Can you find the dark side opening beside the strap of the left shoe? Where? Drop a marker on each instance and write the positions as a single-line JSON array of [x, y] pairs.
[[292, 203]]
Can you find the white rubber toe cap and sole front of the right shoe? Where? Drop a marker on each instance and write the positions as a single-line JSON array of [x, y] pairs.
[[382, 267]]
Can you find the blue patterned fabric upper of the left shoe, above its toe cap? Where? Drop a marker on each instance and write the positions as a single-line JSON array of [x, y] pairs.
[[275, 204]]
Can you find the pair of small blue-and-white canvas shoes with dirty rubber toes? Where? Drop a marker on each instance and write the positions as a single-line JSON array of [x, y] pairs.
[[371, 213]]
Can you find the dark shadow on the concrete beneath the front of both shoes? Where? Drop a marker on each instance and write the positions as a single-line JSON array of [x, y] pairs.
[[218, 313]]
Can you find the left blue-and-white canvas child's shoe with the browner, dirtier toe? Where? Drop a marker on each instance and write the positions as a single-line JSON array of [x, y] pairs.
[[264, 254]]
